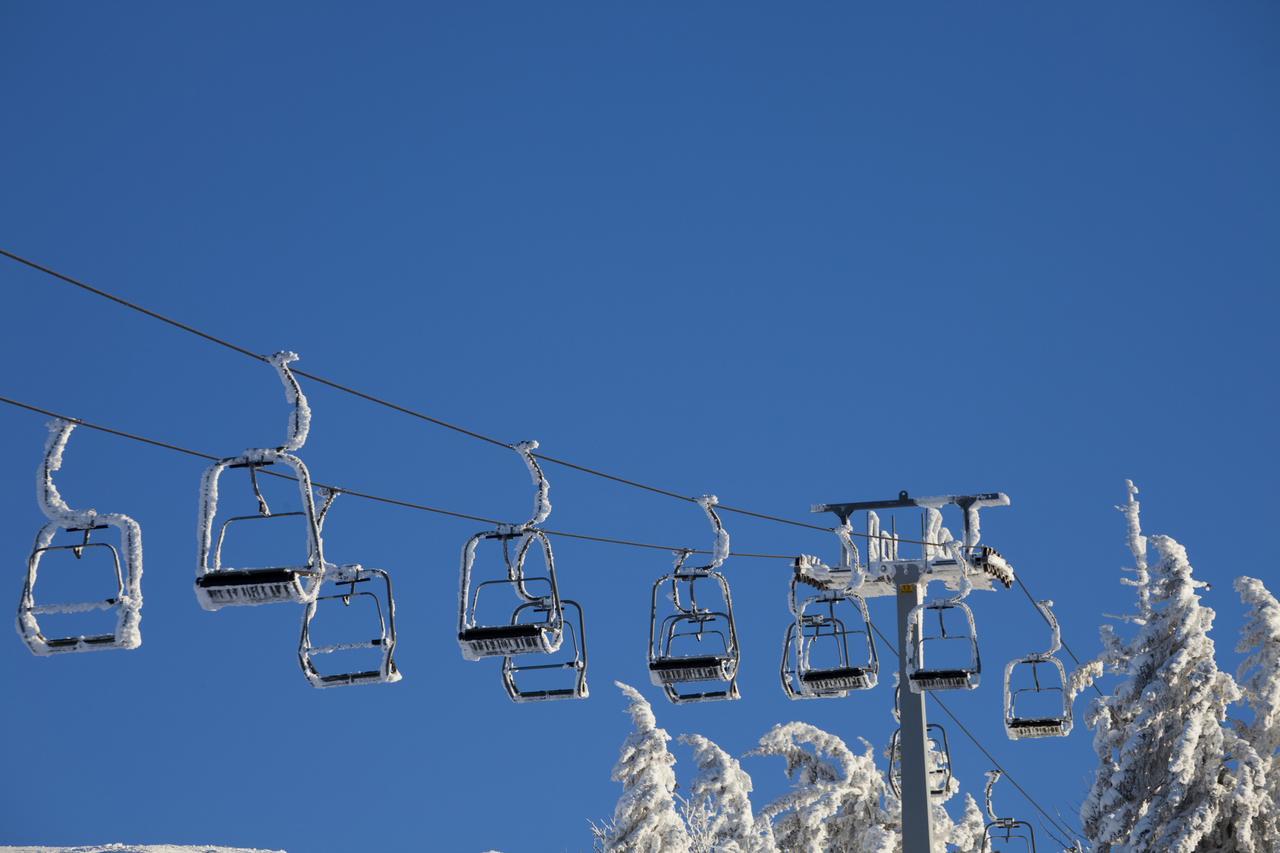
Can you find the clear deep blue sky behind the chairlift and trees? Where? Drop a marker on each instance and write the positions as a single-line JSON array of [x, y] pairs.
[[783, 256]]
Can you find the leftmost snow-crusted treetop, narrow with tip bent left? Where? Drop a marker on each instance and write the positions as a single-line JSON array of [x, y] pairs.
[[646, 819]]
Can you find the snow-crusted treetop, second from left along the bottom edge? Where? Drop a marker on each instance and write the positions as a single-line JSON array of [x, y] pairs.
[[719, 810]]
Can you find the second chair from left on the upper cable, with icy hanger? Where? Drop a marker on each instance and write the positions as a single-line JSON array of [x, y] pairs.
[[514, 637]]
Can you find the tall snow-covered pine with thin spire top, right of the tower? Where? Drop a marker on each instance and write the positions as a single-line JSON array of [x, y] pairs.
[[1163, 782]]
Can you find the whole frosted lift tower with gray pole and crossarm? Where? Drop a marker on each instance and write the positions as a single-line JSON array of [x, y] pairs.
[[961, 567]]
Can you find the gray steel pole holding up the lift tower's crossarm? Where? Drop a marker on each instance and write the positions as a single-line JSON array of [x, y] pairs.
[[913, 742]]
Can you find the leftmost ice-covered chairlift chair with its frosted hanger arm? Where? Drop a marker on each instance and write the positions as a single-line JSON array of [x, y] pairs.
[[127, 601]]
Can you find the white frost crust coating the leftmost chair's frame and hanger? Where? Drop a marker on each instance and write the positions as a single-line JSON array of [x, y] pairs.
[[129, 633]]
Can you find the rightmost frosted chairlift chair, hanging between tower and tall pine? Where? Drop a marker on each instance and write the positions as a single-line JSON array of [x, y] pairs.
[[1043, 679]]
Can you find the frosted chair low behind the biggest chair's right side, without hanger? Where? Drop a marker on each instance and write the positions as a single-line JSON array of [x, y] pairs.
[[348, 580]]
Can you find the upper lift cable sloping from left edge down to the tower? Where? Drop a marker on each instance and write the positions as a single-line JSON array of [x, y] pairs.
[[401, 409]]
